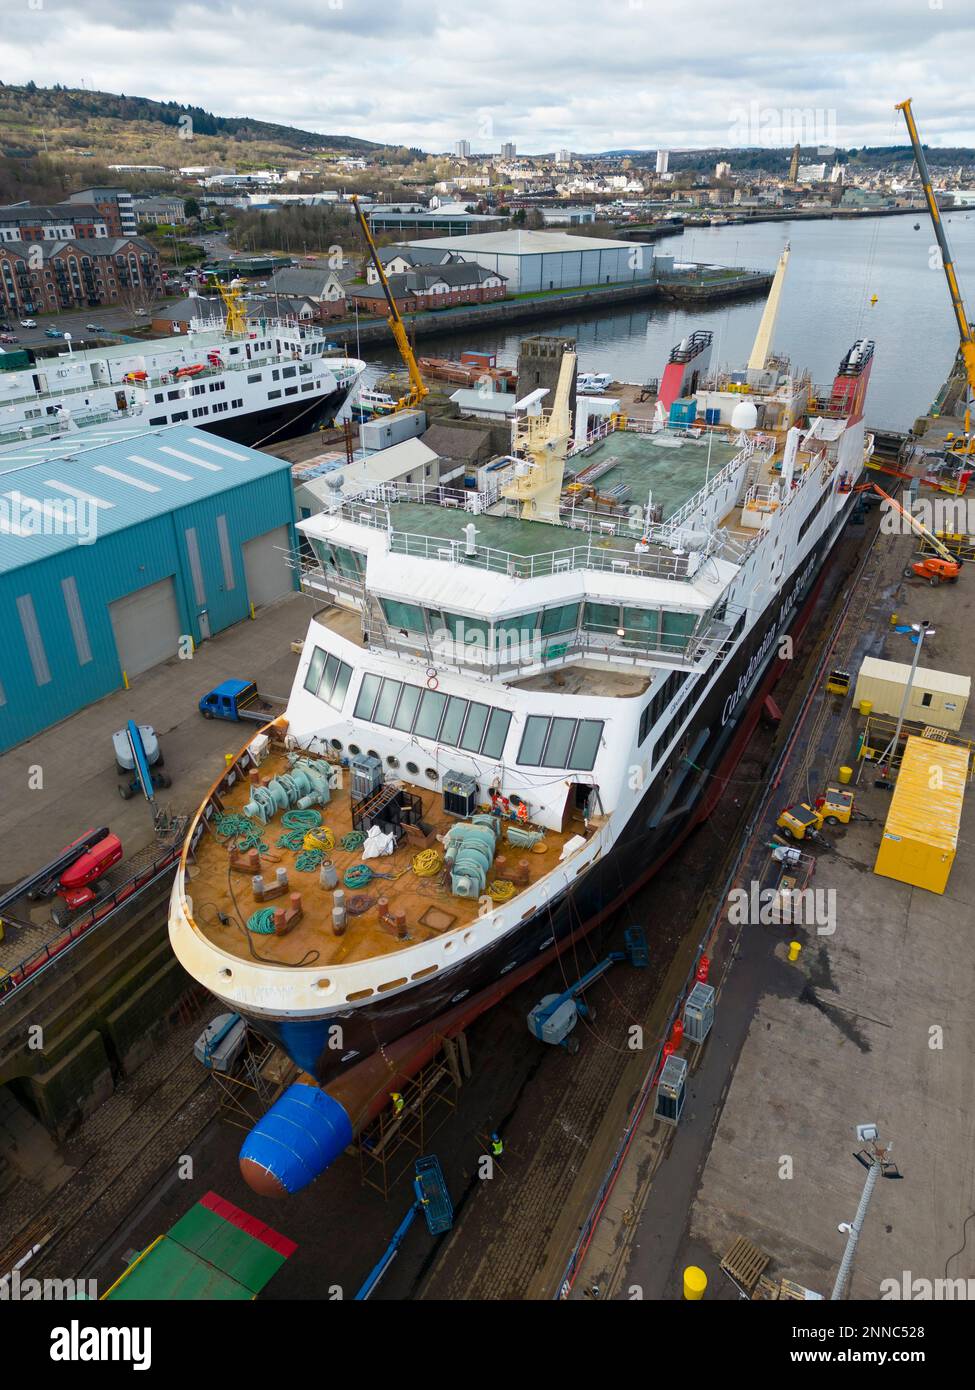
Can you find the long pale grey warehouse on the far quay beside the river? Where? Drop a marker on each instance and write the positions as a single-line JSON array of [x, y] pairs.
[[551, 261]]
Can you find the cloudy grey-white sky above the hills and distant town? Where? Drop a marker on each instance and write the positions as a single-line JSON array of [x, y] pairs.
[[596, 76]]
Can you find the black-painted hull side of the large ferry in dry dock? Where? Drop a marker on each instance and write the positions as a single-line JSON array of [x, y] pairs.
[[674, 804]]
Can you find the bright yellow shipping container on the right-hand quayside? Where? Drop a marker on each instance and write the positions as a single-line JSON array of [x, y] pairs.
[[921, 835]]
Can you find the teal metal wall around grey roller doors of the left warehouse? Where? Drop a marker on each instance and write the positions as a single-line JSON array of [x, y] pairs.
[[118, 565]]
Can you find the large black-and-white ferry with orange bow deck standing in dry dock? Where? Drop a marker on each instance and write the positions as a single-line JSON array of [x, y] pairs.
[[525, 696]]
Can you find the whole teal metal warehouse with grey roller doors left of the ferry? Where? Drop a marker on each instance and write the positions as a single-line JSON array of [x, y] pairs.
[[115, 557]]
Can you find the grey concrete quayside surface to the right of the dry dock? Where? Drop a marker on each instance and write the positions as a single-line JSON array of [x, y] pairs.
[[873, 1024]]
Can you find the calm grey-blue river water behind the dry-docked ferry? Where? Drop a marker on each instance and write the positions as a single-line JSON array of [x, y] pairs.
[[835, 270]]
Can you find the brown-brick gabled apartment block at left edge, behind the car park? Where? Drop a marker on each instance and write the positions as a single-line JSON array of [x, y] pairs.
[[51, 276]]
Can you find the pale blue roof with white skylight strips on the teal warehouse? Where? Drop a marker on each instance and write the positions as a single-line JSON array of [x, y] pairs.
[[90, 491]]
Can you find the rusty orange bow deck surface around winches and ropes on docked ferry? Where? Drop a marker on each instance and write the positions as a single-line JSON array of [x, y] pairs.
[[312, 942]]
